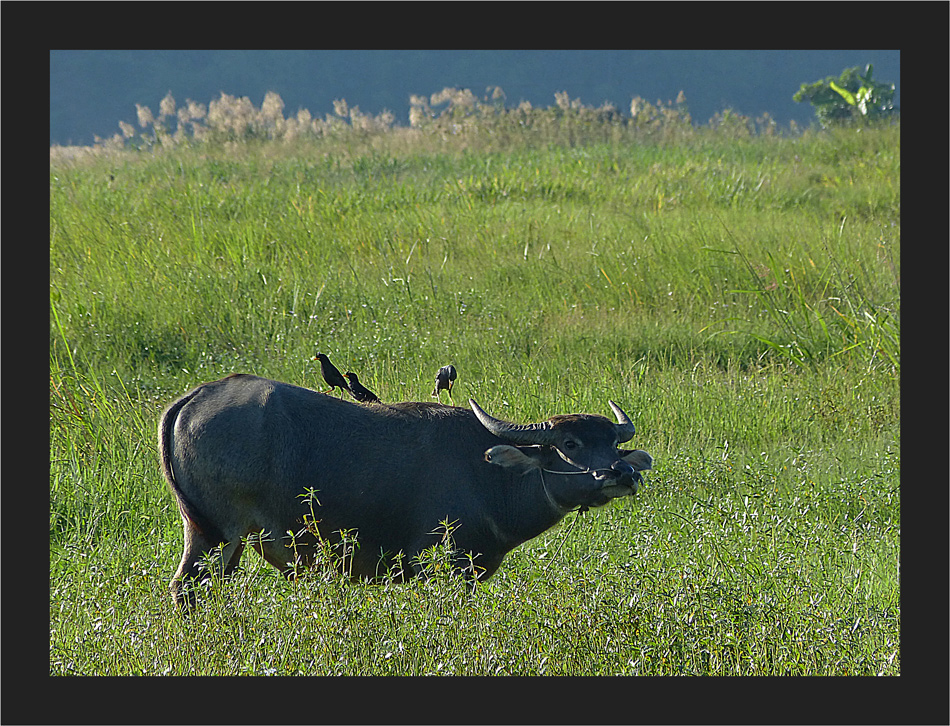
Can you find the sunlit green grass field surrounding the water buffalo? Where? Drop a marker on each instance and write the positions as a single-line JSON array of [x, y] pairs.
[[737, 294]]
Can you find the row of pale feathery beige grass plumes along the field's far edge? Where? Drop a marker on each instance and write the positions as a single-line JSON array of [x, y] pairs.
[[452, 119]]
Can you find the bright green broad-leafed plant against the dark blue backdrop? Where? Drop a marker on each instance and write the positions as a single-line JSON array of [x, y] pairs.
[[851, 96]]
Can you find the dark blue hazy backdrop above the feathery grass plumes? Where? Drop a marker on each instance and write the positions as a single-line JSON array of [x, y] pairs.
[[92, 90]]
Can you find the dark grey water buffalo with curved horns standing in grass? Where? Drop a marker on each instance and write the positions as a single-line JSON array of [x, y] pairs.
[[238, 453]]
